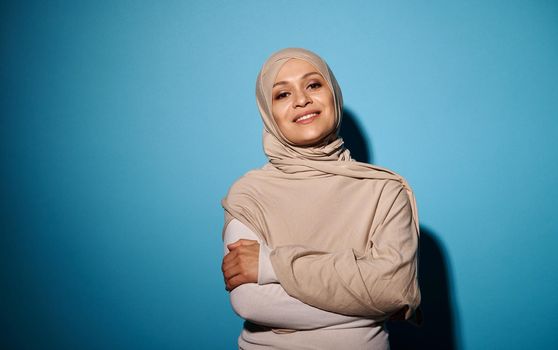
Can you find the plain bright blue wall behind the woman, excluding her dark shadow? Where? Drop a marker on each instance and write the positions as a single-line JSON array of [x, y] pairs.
[[124, 123]]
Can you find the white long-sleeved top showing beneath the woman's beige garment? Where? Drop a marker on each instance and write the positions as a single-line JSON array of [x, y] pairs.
[[276, 319]]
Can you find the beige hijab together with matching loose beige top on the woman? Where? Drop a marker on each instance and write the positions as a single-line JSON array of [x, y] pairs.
[[318, 204]]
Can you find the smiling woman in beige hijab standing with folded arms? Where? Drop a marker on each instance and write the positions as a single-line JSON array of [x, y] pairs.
[[320, 250]]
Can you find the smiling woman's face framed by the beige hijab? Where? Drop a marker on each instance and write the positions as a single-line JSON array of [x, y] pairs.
[[302, 103]]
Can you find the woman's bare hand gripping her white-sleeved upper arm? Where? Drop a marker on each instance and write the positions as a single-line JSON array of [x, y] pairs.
[[240, 265]]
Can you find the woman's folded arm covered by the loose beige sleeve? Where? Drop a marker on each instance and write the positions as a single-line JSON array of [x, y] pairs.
[[376, 283]]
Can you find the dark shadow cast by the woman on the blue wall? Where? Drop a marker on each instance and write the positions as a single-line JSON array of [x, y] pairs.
[[438, 328]]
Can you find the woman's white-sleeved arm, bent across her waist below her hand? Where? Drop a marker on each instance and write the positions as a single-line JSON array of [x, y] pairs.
[[268, 304]]
